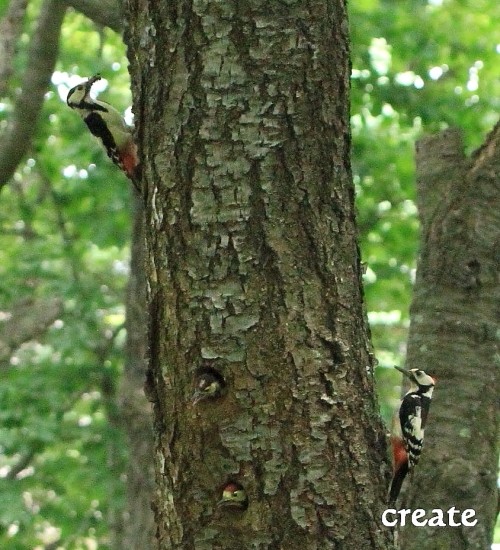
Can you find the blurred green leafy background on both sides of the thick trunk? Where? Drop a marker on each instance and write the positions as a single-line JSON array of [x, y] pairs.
[[65, 227]]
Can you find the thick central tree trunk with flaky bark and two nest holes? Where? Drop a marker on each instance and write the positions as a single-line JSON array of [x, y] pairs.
[[253, 270]]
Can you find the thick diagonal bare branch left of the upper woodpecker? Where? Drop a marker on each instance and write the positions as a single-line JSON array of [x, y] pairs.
[[41, 61]]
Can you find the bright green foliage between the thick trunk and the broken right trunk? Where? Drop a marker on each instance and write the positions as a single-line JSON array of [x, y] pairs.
[[418, 67]]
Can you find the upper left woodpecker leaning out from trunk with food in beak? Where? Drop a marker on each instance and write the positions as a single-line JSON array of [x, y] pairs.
[[106, 123]]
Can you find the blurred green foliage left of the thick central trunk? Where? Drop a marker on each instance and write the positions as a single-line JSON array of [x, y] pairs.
[[65, 227]]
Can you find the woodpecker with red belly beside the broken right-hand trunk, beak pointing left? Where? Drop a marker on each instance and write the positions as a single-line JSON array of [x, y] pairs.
[[408, 427]]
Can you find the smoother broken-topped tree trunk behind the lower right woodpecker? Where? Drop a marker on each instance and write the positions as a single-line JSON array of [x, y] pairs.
[[454, 336]]
